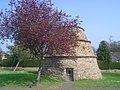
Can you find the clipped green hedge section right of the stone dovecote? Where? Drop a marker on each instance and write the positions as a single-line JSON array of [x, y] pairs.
[[105, 66]]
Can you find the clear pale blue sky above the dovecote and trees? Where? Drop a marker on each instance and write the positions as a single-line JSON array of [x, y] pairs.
[[101, 18]]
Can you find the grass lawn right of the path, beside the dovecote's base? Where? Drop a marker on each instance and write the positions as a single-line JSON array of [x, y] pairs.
[[110, 79]]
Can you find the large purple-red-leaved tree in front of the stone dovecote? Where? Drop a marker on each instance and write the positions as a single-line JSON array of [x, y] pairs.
[[42, 29]]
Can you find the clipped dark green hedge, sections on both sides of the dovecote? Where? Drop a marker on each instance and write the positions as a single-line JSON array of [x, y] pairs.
[[10, 62]]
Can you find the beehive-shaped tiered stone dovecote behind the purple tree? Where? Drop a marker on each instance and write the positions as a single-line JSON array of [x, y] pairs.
[[83, 67]]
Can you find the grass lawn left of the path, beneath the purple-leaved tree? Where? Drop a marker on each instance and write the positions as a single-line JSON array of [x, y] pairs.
[[24, 78]]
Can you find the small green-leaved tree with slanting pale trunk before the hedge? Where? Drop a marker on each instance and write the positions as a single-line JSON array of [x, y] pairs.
[[20, 53]]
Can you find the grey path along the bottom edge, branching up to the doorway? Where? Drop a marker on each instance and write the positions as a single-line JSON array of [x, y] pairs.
[[65, 86]]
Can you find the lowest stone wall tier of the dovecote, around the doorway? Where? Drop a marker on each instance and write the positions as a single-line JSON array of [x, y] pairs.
[[84, 68]]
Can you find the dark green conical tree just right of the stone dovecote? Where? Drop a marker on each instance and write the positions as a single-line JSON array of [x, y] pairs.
[[103, 52]]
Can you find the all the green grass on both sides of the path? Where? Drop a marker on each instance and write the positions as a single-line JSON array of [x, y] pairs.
[[23, 78]]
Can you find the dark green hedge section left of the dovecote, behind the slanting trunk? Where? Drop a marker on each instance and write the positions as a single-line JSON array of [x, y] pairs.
[[10, 62]]
